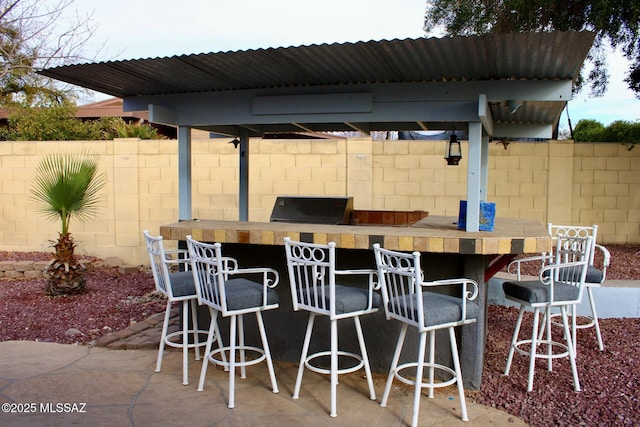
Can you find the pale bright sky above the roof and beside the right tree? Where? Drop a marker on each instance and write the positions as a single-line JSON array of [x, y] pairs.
[[134, 29]]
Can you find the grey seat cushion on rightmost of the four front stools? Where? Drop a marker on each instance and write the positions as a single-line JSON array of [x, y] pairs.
[[438, 308]]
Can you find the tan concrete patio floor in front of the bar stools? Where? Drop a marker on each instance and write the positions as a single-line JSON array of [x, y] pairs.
[[107, 387]]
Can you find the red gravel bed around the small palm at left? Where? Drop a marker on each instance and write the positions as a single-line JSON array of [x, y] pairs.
[[26, 313]]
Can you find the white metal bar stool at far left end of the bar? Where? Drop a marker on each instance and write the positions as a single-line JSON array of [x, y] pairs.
[[177, 287]]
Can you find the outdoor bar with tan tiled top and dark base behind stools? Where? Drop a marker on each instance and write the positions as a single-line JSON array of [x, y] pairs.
[[447, 253]]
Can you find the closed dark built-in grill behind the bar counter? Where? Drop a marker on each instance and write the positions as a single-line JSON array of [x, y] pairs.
[[313, 210]]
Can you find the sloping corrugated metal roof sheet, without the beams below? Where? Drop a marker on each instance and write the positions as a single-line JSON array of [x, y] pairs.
[[528, 56]]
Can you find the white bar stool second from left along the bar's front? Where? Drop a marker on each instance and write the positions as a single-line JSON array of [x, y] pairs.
[[228, 291]]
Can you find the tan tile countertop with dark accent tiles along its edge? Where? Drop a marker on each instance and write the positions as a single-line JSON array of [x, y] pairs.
[[434, 234]]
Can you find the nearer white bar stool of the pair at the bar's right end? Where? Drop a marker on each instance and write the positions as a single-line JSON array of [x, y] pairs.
[[560, 284]]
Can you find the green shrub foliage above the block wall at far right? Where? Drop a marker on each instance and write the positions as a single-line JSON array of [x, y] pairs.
[[621, 131]]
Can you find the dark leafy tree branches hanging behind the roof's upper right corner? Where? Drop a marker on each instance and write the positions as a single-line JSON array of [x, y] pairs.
[[614, 21]]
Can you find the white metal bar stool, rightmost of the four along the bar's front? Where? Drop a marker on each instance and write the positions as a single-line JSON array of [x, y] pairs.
[[414, 302]]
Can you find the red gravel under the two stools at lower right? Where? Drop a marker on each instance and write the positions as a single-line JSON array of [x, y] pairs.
[[610, 394]]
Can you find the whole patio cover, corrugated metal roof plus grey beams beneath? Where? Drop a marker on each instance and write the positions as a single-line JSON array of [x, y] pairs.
[[497, 61]]
